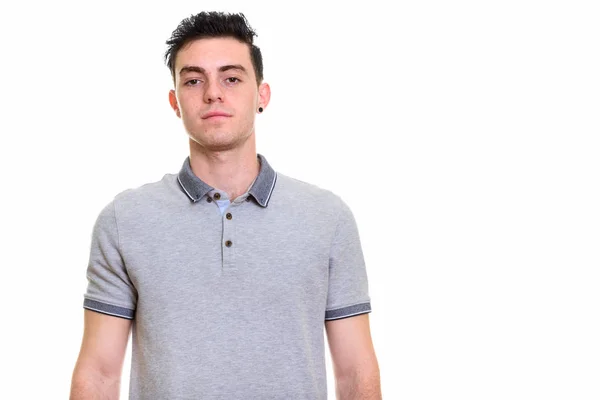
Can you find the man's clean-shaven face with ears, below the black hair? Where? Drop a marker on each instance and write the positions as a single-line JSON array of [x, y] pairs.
[[216, 93]]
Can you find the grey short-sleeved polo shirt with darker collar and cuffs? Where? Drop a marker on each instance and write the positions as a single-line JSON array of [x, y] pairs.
[[227, 305]]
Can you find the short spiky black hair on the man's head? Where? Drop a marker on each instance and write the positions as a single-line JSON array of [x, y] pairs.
[[209, 25]]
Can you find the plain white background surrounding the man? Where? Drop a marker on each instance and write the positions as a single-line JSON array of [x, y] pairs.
[[463, 135]]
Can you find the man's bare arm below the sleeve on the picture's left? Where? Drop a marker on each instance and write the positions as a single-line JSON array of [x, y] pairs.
[[97, 373]]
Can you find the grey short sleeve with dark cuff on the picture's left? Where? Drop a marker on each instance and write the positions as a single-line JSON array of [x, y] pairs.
[[109, 290]]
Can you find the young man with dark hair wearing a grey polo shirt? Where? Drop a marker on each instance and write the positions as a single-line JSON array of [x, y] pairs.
[[226, 272]]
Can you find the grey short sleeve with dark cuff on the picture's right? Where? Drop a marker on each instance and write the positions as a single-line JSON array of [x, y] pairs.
[[348, 291]]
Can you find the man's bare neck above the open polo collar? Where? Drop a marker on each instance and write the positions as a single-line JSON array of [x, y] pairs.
[[231, 171]]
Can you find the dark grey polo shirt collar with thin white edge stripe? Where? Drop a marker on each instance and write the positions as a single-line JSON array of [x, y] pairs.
[[262, 188]]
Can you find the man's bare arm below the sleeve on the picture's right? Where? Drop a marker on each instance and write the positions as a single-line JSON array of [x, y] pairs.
[[354, 362]]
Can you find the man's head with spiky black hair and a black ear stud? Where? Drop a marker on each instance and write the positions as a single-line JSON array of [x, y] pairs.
[[216, 68]]
